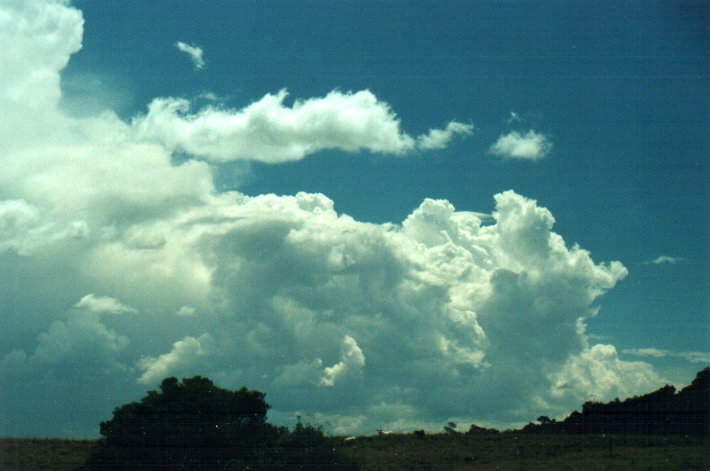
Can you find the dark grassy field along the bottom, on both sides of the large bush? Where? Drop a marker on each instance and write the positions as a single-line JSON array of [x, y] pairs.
[[506, 451]]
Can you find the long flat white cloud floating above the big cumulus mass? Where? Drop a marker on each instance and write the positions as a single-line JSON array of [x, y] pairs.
[[269, 131]]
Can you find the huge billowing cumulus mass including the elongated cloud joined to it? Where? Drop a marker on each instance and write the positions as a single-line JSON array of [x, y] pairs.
[[120, 268]]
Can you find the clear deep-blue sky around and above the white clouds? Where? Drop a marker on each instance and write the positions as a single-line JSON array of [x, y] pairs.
[[621, 89]]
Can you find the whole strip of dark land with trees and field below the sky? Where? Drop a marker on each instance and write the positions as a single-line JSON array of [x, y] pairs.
[[197, 425]]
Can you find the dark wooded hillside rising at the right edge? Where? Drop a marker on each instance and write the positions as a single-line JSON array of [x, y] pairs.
[[662, 412]]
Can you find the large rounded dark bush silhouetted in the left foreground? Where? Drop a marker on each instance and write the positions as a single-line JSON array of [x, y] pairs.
[[197, 425]]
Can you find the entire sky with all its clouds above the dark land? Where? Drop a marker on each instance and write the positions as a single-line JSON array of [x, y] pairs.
[[385, 215]]
